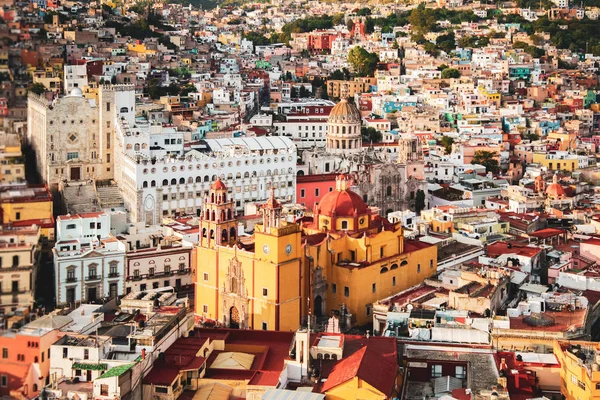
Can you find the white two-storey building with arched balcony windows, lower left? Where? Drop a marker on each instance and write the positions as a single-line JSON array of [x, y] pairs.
[[89, 261]]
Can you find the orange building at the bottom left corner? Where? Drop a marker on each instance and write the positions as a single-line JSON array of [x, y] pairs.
[[25, 356]]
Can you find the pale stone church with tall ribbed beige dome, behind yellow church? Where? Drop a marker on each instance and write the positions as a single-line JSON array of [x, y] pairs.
[[384, 175]]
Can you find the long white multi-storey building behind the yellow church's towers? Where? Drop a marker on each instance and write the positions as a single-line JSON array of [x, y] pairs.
[[158, 176]]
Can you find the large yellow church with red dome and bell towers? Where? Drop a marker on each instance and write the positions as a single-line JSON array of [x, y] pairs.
[[342, 258]]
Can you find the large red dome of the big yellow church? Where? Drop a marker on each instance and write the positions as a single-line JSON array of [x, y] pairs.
[[342, 202]]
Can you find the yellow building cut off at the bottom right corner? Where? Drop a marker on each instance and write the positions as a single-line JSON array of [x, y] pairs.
[[580, 377]]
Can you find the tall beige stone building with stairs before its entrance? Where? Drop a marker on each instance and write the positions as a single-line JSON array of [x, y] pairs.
[[74, 135]]
